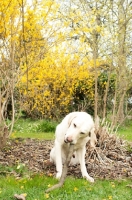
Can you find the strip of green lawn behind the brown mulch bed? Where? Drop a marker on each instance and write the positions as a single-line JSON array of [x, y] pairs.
[[40, 129]]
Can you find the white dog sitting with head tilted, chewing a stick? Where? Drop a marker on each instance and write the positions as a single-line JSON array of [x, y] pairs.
[[77, 128]]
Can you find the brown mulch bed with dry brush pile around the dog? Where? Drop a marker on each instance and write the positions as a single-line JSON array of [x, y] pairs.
[[111, 159]]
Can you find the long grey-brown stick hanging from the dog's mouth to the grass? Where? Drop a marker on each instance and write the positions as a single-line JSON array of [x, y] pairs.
[[64, 172]]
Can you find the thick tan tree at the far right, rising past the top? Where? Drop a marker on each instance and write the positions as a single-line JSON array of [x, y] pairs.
[[123, 80]]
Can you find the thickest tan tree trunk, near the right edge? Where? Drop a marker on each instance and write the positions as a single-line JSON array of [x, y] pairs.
[[121, 61]]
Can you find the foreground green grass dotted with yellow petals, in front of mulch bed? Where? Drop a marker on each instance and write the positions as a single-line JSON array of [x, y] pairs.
[[35, 187]]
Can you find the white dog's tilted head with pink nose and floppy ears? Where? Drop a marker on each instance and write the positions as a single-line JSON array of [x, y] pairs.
[[80, 125]]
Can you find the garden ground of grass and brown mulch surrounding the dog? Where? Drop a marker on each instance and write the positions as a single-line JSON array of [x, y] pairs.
[[24, 167]]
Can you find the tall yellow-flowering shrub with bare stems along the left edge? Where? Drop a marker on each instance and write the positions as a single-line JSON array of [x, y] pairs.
[[24, 41]]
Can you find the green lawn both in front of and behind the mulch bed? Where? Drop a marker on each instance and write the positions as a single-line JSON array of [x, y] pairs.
[[34, 185]]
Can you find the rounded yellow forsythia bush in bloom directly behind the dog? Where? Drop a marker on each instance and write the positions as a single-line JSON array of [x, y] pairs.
[[56, 87]]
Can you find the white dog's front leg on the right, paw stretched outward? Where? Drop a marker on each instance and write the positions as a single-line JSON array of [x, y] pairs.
[[81, 156]]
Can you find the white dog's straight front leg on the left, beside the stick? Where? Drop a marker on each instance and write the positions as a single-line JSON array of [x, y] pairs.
[[58, 152]]
